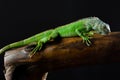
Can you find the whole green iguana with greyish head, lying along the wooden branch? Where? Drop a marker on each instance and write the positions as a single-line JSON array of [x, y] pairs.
[[84, 28]]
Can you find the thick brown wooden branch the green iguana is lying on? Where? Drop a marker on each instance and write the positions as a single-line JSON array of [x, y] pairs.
[[63, 53]]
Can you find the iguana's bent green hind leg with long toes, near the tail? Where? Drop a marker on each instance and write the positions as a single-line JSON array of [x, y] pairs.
[[45, 39]]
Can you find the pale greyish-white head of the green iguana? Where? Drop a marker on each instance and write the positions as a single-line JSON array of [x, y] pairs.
[[100, 27]]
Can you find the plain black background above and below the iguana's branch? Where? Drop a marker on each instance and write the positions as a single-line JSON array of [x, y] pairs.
[[20, 19]]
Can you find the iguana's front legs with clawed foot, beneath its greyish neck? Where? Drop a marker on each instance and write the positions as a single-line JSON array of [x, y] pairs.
[[85, 36]]
